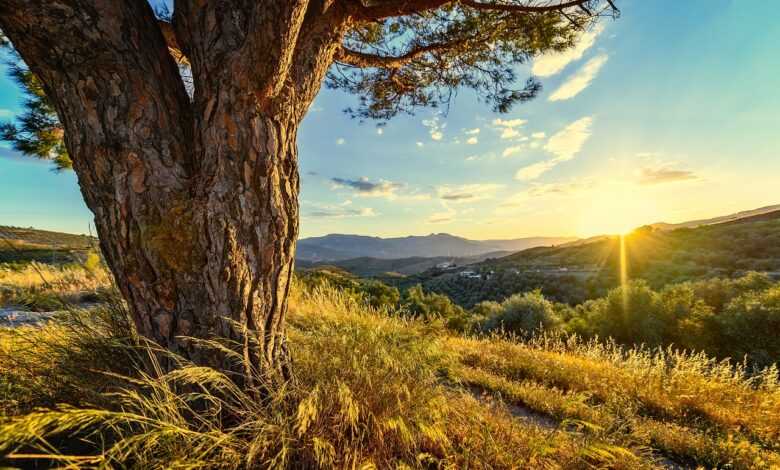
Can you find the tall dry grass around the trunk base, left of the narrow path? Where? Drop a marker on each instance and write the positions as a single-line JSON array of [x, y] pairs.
[[370, 392]]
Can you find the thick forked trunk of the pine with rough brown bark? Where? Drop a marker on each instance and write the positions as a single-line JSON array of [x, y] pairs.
[[195, 201]]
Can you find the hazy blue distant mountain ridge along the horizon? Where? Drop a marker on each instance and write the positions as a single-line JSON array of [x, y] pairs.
[[335, 247]]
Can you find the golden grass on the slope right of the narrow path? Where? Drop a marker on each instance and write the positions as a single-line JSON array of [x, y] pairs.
[[686, 406]]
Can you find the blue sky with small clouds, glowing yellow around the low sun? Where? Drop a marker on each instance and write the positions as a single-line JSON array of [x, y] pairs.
[[669, 113]]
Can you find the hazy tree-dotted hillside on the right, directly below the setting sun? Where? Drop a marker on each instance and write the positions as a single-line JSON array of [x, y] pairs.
[[576, 272]]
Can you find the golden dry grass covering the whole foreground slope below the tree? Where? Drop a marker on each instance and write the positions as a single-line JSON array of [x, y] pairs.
[[377, 391]]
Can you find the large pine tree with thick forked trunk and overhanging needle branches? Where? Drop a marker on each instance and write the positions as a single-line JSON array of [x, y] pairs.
[[195, 195]]
